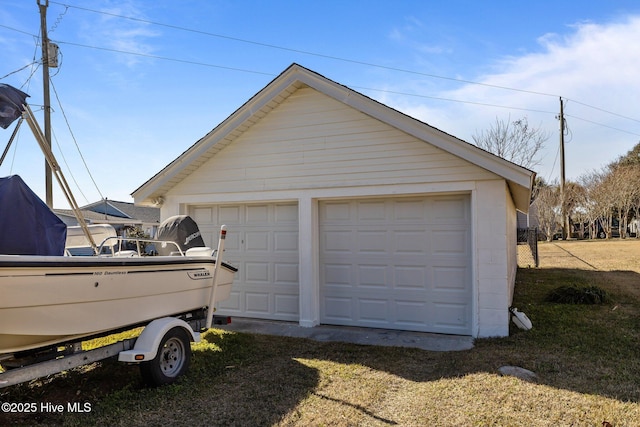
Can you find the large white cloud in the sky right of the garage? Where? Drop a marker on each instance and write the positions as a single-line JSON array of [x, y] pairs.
[[593, 64]]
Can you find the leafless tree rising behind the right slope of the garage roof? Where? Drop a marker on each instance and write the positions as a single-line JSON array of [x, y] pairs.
[[515, 141]]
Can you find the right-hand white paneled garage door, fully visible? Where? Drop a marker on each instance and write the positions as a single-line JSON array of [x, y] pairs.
[[401, 263]]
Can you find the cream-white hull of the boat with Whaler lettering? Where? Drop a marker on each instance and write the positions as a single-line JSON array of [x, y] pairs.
[[48, 300]]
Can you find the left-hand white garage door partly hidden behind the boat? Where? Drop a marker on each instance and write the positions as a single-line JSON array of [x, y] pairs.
[[262, 241]]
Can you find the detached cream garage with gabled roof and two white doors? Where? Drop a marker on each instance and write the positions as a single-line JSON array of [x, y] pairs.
[[341, 210]]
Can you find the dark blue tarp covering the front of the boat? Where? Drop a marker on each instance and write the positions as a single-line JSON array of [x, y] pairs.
[[27, 225]]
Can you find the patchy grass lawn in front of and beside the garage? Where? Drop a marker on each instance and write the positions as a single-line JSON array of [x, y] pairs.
[[587, 358]]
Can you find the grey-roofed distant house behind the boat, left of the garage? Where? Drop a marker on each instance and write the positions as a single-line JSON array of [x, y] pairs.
[[119, 214]]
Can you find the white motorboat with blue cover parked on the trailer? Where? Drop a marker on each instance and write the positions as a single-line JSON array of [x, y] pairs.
[[47, 298]]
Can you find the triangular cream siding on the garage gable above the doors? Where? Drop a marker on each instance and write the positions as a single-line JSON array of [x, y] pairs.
[[311, 141]]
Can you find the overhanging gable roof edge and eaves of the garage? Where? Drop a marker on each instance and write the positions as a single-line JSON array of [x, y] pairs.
[[519, 179]]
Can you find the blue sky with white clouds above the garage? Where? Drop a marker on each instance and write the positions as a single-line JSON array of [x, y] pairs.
[[139, 81]]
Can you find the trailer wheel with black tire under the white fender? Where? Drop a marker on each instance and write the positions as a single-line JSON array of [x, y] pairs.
[[172, 360]]
